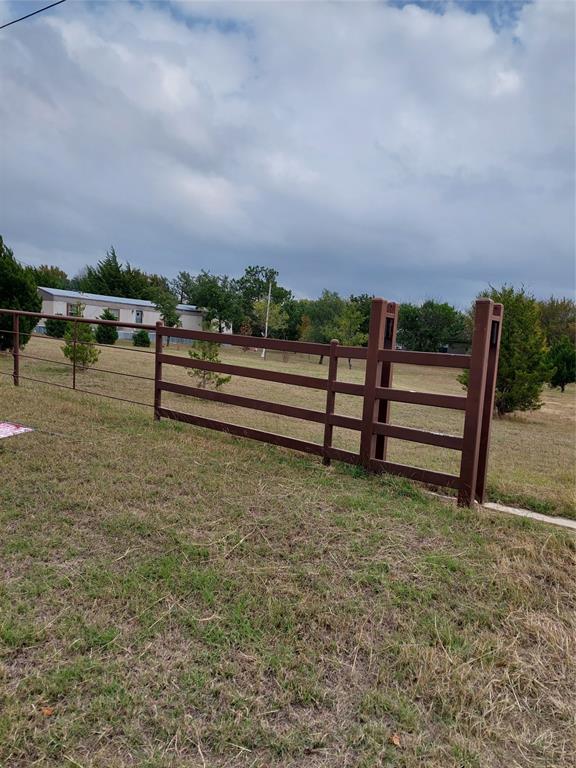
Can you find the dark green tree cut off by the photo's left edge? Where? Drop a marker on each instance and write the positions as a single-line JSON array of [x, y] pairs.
[[17, 291]]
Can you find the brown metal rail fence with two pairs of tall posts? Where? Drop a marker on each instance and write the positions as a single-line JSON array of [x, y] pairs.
[[377, 392]]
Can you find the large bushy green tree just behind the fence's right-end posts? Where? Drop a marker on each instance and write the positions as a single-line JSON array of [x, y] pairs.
[[523, 366]]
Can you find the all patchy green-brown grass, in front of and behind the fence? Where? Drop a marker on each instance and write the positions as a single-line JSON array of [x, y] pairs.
[[176, 598]]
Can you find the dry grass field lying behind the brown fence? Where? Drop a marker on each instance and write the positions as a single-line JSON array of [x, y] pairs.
[[533, 455]]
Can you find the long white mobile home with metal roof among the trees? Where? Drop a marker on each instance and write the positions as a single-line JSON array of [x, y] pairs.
[[63, 302]]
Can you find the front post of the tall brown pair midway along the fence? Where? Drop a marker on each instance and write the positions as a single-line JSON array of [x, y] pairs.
[[373, 376]]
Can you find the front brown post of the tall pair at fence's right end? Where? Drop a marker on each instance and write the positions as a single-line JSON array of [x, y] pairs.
[[475, 402]]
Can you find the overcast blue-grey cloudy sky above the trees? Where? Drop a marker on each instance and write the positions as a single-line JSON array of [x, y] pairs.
[[410, 151]]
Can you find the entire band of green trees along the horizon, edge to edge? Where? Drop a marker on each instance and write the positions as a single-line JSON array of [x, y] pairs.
[[538, 337]]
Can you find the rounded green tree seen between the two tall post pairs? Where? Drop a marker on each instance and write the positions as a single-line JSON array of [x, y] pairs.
[[431, 325]]
